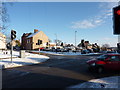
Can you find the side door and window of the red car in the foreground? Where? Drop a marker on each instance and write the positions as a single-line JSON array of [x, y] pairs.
[[112, 63]]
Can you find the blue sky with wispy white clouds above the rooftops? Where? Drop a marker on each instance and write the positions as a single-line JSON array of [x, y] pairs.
[[91, 20]]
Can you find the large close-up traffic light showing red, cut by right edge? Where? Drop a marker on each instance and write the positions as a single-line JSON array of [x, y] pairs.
[[116, 20]]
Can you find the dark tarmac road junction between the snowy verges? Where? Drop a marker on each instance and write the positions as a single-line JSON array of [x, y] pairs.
[[57, 72]]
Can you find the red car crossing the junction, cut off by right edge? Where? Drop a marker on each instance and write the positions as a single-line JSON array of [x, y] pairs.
[[105, 62]]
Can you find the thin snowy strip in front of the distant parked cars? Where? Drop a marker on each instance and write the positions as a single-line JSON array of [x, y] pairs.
[[64, 53]]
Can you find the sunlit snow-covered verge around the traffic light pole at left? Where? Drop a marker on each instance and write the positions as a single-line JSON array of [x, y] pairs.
[[5, 61]]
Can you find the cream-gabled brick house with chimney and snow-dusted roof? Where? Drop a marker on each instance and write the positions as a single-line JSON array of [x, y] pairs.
[[30, 40]]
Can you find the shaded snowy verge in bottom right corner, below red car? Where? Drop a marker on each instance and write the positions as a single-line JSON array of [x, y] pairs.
[[107, 82]]
